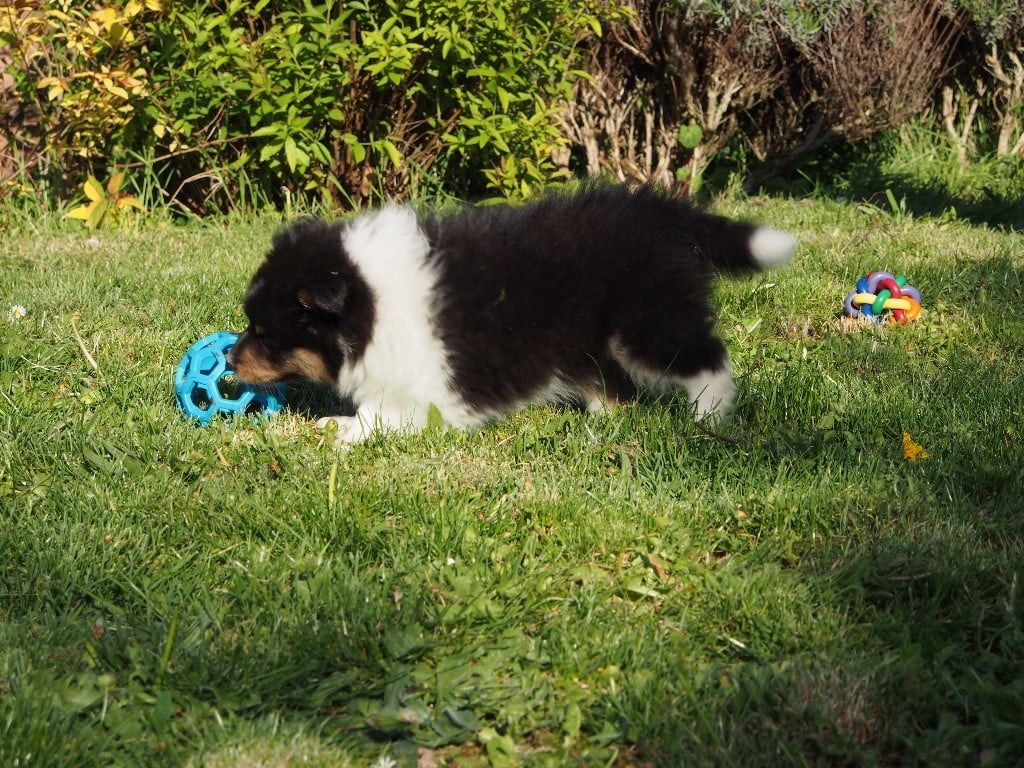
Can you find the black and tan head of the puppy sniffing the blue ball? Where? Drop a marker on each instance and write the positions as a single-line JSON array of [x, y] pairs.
[[309, 310]]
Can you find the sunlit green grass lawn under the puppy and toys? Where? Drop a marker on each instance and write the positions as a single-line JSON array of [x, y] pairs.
[[558, 589]]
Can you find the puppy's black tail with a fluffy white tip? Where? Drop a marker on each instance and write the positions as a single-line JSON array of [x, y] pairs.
[[741, 247]]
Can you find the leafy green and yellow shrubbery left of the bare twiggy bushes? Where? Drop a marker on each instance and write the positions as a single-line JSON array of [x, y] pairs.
[[325, 100]]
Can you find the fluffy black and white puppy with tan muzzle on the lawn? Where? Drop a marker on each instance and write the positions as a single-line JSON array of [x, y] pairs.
[[587, 297]]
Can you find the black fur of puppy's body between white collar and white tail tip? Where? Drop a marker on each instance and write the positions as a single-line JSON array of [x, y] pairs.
[[550, 289]]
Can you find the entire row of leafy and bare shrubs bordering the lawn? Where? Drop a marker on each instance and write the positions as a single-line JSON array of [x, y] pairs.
[[227, 103]]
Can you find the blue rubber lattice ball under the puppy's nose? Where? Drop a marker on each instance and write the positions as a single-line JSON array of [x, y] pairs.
[[206, 387]]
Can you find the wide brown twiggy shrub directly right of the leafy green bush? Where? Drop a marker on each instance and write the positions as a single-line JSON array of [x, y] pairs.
[[681, 80]]
